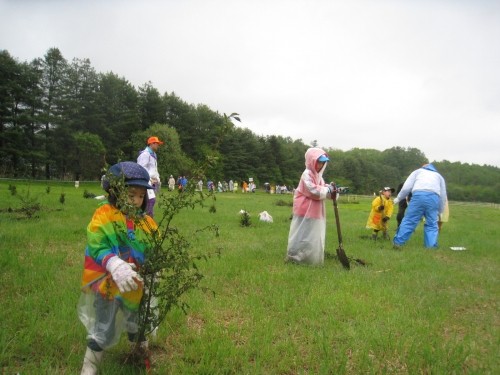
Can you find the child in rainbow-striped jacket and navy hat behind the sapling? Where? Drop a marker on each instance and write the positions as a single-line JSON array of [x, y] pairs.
[[116, 245]]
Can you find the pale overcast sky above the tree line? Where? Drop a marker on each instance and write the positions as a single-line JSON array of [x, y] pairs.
[[366, 74]]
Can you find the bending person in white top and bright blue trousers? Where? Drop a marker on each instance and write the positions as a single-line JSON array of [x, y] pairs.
[[428, 199]]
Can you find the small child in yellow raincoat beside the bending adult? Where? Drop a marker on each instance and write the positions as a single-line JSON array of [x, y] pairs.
[[381, 212]]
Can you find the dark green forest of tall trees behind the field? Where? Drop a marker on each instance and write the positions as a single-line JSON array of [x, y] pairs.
[[61, 119]]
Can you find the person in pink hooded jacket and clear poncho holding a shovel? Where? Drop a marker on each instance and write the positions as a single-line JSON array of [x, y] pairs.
[[306, 239]]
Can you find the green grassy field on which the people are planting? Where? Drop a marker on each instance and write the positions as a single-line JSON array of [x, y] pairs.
[[410, 311]]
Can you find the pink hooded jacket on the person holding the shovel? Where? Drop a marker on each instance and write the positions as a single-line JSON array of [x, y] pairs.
[[312, 190]]
